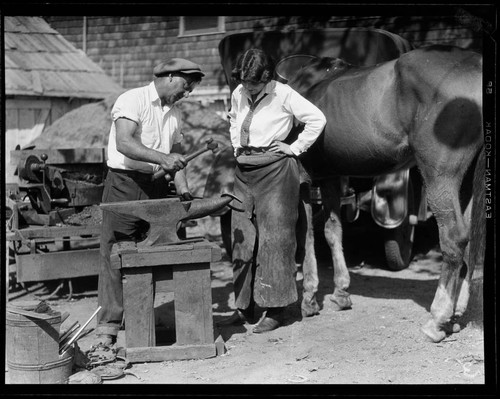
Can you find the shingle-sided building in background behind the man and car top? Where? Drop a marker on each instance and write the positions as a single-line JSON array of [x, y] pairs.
[[128, 47]]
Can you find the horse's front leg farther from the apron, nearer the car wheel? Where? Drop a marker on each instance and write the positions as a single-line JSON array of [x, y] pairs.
[[330, 193]]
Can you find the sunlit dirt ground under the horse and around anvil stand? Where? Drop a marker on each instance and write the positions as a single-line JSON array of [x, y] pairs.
[[376, 342]]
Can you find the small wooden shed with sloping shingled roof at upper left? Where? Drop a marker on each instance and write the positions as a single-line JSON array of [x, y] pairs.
[[45, 77]]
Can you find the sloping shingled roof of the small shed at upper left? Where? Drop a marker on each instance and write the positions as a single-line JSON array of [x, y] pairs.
[[39, 61]]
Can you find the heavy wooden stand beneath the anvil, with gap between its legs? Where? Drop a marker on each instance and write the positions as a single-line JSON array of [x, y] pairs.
[[183, 269]]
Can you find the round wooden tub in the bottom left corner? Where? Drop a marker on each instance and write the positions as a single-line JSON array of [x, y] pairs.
[[33, 350]]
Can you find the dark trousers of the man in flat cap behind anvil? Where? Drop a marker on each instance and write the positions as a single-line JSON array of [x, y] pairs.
[[123, 186]]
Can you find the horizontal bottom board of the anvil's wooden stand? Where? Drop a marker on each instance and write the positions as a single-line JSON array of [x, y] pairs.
[[173, 352]]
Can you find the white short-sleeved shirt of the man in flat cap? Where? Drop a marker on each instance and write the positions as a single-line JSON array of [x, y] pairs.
[[158, 128]]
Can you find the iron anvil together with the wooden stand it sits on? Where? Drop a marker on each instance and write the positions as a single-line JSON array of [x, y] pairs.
[[163, 263]]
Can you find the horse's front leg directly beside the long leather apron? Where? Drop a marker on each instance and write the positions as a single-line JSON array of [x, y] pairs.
[[309, 306]]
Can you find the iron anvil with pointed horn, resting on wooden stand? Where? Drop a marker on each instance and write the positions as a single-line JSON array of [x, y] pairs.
[[163, 215]]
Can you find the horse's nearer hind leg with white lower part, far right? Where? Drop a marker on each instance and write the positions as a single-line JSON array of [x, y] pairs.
[[453, 238]]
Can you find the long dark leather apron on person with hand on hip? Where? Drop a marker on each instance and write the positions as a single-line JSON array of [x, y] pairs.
[[264, 241]]
